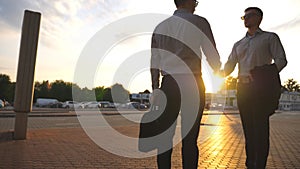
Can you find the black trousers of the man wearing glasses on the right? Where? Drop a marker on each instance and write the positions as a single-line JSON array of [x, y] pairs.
[[255, 121]]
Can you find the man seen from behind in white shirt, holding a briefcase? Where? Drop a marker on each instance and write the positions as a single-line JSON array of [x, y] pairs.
[[176, 53]]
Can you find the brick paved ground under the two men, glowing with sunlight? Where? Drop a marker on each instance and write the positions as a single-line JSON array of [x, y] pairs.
[[72, 148]]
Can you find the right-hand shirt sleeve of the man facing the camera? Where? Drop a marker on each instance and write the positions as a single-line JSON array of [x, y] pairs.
[[277, 52]]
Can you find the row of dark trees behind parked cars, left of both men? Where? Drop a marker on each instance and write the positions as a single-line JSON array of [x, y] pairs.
[[65, 91]]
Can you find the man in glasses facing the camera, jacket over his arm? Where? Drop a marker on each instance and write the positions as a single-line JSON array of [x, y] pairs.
[[254, 51]]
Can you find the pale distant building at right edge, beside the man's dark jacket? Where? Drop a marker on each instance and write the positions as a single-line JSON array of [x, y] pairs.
[[289, 101]]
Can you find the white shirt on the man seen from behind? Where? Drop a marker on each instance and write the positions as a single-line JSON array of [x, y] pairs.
[[180, 37]]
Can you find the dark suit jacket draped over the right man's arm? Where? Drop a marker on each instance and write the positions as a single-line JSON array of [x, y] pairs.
[[267, 84]]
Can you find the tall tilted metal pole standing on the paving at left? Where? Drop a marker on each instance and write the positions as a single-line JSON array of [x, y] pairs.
[[25, 75]]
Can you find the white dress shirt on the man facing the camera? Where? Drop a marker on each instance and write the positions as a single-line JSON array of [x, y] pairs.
[[260, 49]]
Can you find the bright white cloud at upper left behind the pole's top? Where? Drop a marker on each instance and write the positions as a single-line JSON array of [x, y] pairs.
[[61, 19]]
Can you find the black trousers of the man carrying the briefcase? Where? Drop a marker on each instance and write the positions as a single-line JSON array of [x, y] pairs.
[[176, 88]]
